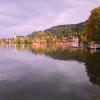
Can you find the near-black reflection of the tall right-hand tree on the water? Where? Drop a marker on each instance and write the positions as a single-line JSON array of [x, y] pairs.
[[93, 67]]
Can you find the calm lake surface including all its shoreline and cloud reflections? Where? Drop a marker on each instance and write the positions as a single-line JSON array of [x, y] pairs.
[[49, 73]]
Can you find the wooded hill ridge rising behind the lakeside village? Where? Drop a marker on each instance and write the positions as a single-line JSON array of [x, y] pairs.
[[60, 28]]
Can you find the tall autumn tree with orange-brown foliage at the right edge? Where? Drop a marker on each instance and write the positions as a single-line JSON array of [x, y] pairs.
[[92, 26]]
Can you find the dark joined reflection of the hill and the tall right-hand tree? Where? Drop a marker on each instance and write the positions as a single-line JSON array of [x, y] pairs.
[[92, 61]]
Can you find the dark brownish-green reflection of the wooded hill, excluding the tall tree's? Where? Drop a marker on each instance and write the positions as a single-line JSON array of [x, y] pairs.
[[68, 54]]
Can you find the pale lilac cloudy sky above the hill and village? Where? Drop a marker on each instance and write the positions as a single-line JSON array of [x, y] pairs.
[[26, 16]]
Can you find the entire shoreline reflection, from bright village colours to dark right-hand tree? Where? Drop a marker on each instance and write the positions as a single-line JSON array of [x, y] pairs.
[[92, 61]]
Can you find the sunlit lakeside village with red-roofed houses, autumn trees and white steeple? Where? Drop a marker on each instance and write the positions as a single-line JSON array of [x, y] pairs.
[[42, 39]]
